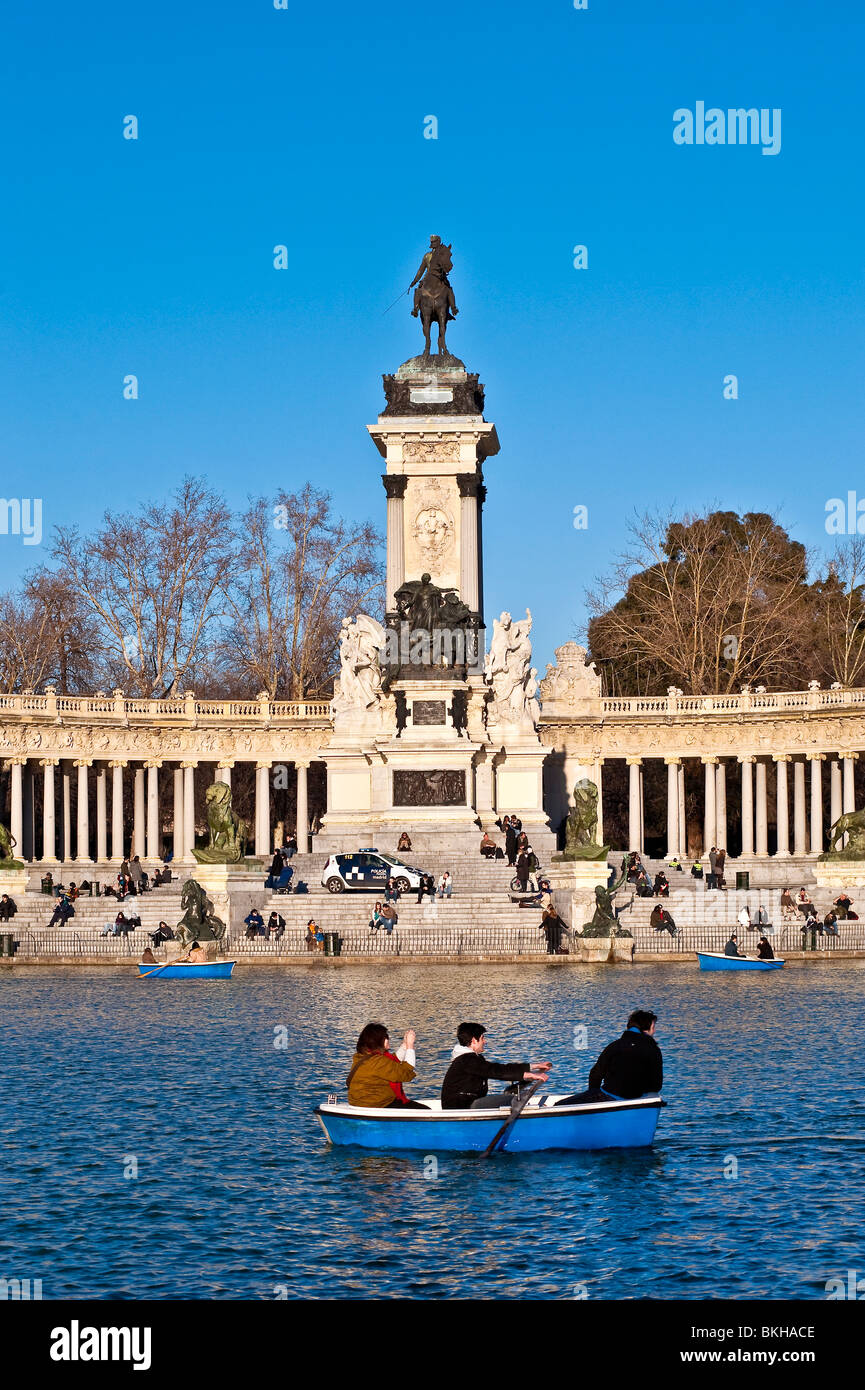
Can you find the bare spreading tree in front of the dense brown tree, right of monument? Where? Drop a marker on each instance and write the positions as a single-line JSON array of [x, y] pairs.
[[706, 604]]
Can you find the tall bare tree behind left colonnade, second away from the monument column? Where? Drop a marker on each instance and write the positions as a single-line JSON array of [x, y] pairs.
[[155, 583]]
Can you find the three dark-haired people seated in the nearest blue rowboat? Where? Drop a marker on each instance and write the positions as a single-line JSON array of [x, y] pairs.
[[628, 1068]]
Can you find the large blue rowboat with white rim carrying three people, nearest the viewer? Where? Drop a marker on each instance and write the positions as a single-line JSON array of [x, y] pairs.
[[542, 1125]]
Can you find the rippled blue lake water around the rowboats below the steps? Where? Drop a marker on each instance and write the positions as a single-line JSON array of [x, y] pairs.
[[239, 1196]]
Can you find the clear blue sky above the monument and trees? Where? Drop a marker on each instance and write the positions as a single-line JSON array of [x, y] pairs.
[[305, 127]]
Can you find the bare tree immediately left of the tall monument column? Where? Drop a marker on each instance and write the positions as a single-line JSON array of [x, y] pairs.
[[301, 571]]
